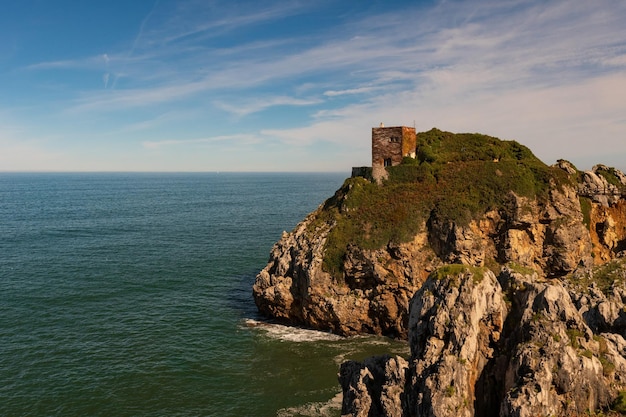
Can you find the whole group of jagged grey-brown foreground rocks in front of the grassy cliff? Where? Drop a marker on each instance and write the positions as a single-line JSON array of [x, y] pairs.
[[516, 346]]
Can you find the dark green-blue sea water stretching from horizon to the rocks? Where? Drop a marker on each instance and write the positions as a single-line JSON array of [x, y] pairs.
[[130, 295]]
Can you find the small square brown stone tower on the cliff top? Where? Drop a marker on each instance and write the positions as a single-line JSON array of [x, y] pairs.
[[389, 146]]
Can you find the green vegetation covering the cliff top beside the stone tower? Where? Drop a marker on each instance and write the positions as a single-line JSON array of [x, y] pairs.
[[455, 177]]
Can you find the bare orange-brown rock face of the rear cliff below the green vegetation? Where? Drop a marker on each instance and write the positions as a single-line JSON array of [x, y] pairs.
[[373, 294]]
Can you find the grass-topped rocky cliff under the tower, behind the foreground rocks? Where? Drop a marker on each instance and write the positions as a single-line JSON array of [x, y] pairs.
[[353, 265]]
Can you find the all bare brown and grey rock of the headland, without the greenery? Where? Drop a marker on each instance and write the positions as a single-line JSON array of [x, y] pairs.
[[545, 337]]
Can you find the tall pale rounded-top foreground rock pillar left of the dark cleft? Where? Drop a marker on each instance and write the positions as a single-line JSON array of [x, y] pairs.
[[456, 318]]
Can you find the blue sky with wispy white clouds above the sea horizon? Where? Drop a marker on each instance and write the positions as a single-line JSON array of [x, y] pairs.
[[298, 85]]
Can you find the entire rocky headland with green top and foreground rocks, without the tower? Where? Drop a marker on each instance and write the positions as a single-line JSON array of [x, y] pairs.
[[507, 277]]
